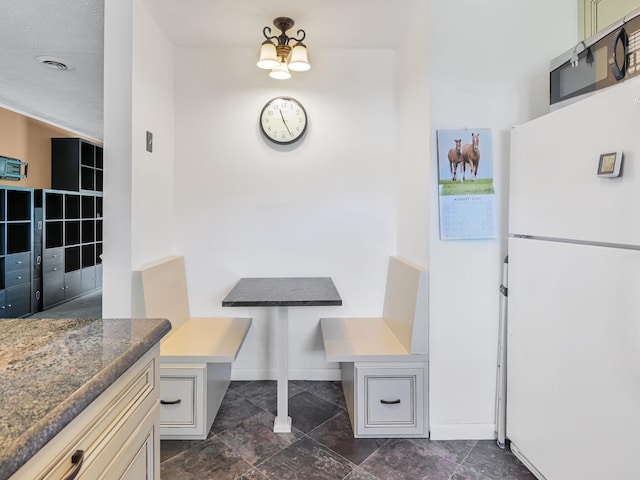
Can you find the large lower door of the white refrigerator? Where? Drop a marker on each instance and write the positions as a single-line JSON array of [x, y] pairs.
[[573, 378]]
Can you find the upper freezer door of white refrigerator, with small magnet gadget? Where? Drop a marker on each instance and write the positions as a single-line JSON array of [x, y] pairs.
[[555, 191]]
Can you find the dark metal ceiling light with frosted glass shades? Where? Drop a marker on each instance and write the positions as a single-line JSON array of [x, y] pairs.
[[280, 57]]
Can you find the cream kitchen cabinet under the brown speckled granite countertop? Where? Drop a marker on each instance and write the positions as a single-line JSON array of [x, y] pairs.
[[115, 437]]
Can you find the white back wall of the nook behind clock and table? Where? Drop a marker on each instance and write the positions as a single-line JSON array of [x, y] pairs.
[[322, 207]]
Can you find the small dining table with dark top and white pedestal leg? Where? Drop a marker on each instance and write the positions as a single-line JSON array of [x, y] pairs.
[[281, 293]]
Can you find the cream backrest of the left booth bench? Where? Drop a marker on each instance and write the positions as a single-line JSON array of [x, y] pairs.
[[163, 289]]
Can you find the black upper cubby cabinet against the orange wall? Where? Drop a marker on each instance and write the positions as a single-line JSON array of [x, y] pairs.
[[76, 165]]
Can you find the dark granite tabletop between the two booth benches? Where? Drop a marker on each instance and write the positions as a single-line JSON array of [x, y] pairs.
[[283, 292]]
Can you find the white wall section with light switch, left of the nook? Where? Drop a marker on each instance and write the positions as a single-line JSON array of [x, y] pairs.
[[138, 185]]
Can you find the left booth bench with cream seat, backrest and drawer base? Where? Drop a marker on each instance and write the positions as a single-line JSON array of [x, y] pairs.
[[195, 357]]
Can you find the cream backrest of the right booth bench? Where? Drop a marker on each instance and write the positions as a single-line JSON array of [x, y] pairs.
[[406, 304]]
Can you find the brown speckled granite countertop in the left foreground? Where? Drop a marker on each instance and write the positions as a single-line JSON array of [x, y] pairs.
[[52, 369]]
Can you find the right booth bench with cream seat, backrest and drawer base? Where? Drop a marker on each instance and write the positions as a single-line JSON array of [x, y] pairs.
[[384, 360]]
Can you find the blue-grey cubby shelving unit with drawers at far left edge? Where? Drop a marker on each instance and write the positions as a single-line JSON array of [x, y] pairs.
[[16, 250]]
